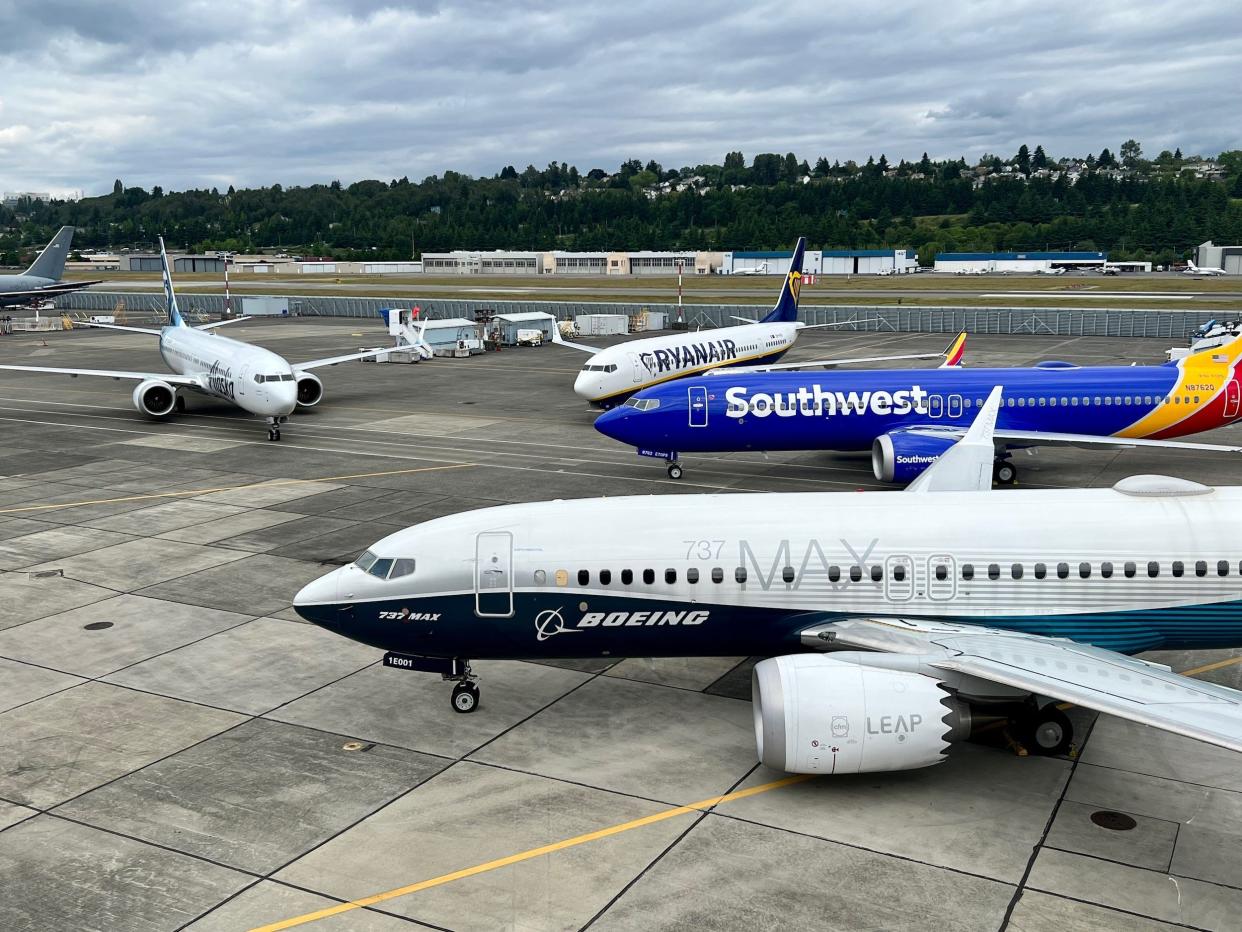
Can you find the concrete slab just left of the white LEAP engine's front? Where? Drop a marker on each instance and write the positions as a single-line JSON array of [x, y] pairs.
[[619, 735]]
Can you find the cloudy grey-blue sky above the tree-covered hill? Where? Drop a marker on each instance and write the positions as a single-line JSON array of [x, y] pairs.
[[204, 94]]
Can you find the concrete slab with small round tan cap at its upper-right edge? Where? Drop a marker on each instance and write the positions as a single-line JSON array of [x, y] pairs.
[[255, 797]]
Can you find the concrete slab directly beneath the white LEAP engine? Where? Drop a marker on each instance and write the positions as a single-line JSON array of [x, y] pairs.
[[982, 812]]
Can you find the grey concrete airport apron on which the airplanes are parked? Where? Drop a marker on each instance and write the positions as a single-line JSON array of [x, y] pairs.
[[165, 716]]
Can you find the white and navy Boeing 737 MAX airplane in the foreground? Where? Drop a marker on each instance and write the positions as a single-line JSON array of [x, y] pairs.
[[922, 611]]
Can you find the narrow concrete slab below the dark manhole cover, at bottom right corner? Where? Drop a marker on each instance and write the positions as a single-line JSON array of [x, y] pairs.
[[1152, 894]]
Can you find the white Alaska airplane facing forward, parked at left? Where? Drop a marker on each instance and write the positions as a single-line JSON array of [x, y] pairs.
[[255, 380]]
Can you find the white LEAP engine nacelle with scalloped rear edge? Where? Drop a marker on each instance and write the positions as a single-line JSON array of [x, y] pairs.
[[818, 715]]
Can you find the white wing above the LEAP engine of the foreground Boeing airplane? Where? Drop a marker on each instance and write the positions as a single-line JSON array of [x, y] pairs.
[[1087, 677]]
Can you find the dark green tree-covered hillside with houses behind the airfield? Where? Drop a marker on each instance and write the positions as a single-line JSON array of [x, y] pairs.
[[1131, 207]]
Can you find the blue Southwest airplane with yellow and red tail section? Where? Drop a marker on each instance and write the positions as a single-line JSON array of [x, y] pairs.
[[909, 418]]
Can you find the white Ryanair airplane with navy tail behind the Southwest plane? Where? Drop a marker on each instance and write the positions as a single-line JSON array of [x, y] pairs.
[[618, 372]]
